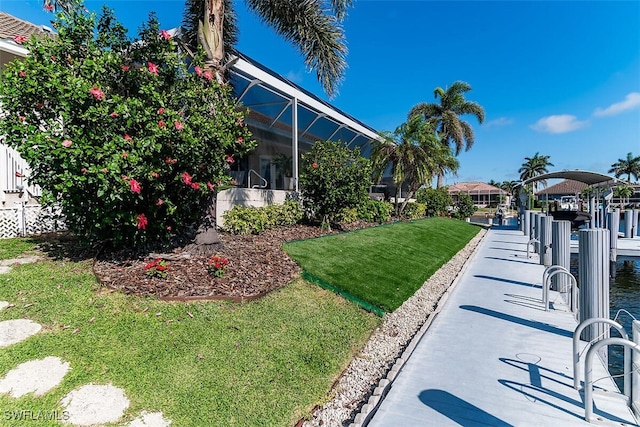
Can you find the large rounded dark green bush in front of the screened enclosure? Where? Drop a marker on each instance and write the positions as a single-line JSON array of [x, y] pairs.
[[333, 178]]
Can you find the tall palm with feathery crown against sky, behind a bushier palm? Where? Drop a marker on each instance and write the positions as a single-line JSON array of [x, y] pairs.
[[445, 116]]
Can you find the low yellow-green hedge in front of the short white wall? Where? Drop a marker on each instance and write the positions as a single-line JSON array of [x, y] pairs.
[[252, 220]]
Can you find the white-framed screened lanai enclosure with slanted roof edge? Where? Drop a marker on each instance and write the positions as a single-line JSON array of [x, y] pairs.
[[286, 120]]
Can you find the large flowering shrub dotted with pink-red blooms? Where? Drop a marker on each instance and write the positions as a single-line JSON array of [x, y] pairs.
[[111, 126]]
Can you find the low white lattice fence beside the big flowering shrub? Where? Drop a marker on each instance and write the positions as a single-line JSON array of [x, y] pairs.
[[24, 220]]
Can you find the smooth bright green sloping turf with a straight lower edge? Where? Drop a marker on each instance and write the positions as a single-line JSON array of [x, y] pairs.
[[383, 265]]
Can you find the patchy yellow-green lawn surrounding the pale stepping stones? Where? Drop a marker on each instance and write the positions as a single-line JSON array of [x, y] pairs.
[[262, 363]]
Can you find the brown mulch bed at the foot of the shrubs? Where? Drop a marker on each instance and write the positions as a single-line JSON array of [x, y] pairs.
[[257, 265]]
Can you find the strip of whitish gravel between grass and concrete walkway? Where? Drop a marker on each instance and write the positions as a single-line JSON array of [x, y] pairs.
[[366, 381]]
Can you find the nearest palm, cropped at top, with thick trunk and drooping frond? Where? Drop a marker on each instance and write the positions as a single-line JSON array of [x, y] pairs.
[[312, 26]]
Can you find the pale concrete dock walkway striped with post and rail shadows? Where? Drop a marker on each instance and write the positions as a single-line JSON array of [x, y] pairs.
[[493, 356]]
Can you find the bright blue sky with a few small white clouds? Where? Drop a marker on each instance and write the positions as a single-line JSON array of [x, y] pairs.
[[561, 78]]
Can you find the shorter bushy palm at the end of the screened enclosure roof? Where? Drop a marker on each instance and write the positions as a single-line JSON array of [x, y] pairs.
[[414, 153]]
